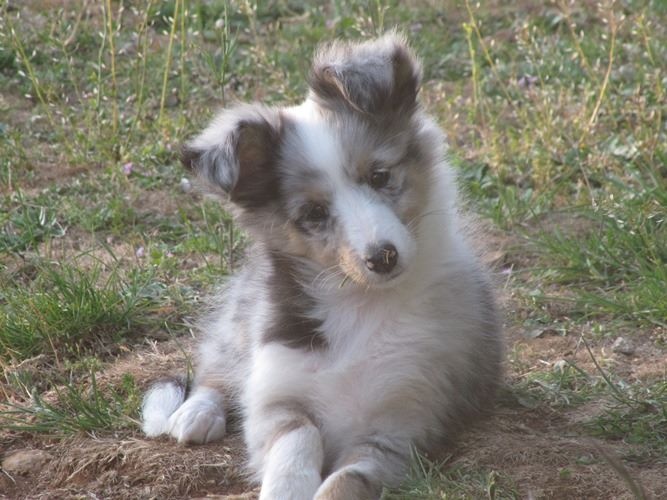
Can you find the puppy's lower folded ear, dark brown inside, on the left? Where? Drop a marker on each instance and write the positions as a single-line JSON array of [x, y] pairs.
[[235, 155]]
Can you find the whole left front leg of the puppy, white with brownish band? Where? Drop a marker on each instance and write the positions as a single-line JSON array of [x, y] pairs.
[[284, 443]]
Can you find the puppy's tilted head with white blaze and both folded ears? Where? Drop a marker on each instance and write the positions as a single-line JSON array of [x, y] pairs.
[[341, 180]]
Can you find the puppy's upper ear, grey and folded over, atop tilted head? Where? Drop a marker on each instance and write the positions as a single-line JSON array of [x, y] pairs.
[[377, 77]]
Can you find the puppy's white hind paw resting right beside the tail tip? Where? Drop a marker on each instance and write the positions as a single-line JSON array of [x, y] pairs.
[[201, 419]]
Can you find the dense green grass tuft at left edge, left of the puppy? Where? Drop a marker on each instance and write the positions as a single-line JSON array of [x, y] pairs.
[[67, 311]]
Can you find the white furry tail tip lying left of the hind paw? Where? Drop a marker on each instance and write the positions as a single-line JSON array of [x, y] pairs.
[[162, 399]]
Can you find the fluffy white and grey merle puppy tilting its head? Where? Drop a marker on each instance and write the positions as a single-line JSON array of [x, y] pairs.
[[362, 325]]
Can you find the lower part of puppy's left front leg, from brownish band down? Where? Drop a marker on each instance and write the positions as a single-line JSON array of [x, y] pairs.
[[290, 455]]
